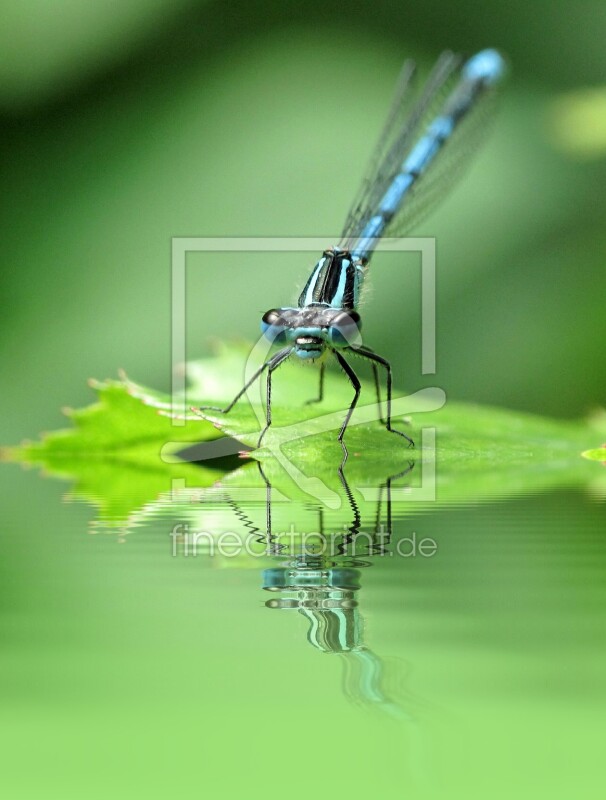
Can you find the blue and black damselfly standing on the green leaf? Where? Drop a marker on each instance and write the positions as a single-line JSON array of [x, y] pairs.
[[407, 172]]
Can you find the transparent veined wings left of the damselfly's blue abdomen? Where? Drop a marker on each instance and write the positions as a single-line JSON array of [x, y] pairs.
[[405, 122]]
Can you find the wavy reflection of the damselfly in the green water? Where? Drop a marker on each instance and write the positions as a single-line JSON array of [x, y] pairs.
[[319, 575]]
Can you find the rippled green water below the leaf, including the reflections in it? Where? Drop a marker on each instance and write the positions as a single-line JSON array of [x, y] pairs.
[[131, 668]]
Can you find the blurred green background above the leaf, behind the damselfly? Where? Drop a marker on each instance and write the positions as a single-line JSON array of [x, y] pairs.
[[126, 124]]
